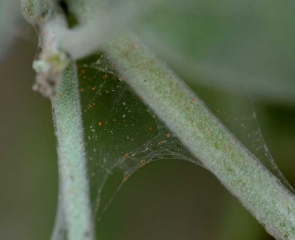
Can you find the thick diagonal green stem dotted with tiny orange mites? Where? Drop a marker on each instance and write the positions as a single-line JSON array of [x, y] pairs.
[[205, 136]]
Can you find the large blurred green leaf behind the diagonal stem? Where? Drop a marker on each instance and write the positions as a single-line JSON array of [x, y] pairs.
[[228, 45]]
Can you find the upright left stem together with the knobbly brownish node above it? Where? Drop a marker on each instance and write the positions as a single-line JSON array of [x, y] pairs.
[[74, 187]]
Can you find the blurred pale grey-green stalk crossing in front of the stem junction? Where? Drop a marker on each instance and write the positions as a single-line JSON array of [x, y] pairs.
[[94, 35]]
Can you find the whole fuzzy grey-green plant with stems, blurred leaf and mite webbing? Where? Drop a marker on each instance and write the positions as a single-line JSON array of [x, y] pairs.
[[106, 60]]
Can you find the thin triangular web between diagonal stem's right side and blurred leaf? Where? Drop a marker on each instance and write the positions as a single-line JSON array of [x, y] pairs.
[[238, 114]]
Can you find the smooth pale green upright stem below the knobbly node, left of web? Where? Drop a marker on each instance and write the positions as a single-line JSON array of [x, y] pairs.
[[72, 159]]
